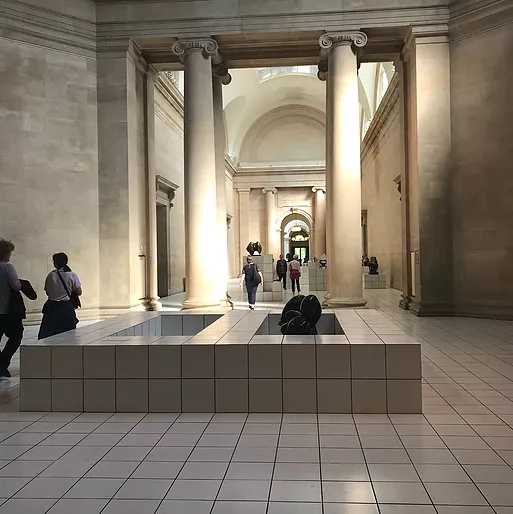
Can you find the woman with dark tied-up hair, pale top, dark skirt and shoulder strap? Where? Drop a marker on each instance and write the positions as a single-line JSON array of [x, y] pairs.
[[63, 288]]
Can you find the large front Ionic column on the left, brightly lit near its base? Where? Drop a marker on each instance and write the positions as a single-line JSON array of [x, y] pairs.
[[199, 171]]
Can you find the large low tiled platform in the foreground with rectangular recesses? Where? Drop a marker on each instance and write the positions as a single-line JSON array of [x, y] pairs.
[[237, 362]]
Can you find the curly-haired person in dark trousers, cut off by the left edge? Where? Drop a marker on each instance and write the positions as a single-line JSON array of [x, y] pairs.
[[11, 323]]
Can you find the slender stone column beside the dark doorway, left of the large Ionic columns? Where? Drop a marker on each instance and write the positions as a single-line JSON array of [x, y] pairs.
[[151, 300]]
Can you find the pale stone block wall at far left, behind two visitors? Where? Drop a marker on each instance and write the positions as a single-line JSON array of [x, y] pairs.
[[49, 163]]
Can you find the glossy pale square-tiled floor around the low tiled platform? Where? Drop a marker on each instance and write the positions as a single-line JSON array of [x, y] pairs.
[[454, 459]]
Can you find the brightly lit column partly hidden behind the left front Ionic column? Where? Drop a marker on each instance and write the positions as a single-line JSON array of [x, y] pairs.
[[220, 77]]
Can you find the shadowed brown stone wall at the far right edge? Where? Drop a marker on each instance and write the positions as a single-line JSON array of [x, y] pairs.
[[482, 185]]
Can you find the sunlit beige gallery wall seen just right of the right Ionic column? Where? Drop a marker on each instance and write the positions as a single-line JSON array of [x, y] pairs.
[[381, 165]]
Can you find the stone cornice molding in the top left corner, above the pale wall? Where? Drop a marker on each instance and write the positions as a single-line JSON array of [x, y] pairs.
[[47, 28]]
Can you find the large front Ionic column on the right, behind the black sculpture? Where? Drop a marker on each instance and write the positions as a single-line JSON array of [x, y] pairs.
[[344, 182]]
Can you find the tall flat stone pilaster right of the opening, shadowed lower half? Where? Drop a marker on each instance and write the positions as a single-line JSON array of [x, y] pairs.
[[427, 188]]
